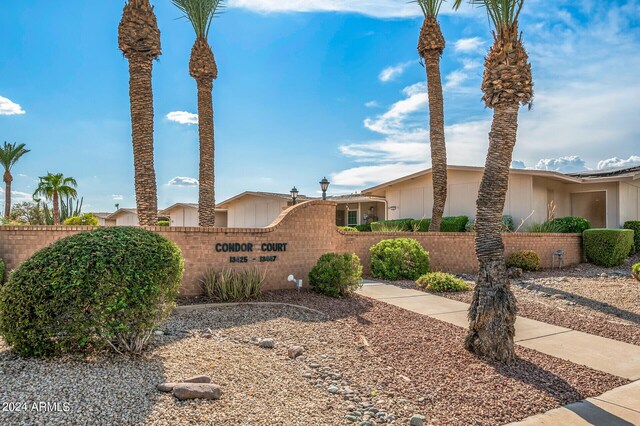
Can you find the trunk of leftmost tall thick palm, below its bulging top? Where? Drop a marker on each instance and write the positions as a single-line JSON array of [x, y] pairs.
[[141, 96]]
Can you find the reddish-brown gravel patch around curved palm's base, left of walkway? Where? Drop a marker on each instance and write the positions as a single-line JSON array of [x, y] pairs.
[[417, 364]]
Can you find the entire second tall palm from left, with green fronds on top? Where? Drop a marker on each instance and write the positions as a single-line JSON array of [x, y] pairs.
[[204, 70]]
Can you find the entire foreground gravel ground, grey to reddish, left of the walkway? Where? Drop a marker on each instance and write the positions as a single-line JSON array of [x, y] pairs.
[[383, 363]]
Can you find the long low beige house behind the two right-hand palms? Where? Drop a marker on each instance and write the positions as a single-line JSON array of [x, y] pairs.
[[605, 198]]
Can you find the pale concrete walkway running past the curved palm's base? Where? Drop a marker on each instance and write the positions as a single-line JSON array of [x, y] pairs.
[[620, 406]]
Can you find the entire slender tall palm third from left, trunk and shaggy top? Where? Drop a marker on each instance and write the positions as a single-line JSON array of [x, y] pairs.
[[431, 44]]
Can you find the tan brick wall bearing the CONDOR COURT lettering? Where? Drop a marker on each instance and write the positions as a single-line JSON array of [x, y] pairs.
[[309, 231]]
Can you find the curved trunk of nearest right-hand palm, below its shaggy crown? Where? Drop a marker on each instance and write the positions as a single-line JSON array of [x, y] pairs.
[[492, 313]]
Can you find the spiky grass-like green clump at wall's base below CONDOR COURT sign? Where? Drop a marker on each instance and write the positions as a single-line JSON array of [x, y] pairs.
[[233, 285]]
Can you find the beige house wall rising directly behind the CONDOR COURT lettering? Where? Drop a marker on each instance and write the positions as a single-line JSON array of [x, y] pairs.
[[253, 211]]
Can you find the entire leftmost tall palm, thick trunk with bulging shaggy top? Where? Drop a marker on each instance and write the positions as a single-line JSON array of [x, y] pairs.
[[139, 41]]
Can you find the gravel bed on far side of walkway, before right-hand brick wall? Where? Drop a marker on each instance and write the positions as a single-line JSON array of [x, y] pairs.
[[588, 298]]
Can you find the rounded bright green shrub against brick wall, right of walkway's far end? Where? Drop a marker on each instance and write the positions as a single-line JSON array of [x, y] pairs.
[[400, 258]]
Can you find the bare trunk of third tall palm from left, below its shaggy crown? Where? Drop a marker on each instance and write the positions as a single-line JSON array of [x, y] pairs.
[[436, 138]]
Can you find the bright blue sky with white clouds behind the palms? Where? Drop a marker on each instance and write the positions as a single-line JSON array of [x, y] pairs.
[[308, 88]]
